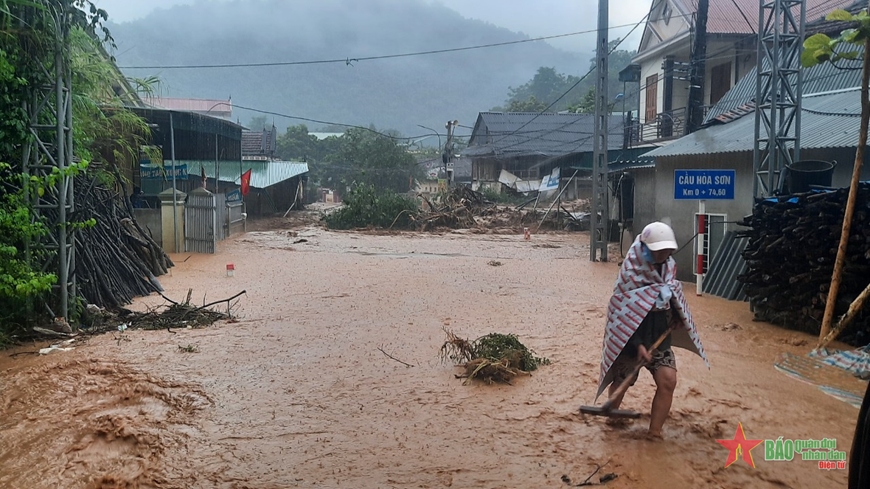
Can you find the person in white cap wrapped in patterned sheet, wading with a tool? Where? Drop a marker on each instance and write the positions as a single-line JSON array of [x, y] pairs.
[[648, 300]]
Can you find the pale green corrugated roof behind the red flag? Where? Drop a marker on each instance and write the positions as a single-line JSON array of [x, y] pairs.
[[263, 173]]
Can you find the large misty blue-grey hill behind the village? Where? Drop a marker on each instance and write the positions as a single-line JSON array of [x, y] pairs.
[[397, 93]]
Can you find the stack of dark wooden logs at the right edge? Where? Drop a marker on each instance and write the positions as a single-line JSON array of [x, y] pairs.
[[791, 253]]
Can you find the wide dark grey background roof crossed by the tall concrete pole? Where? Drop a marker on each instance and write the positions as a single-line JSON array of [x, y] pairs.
[[531, 133]]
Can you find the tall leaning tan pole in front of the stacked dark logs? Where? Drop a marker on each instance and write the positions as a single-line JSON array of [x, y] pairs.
[[850, 203]]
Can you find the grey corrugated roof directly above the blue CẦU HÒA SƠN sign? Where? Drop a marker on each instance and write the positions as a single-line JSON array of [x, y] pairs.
[[827, 121]]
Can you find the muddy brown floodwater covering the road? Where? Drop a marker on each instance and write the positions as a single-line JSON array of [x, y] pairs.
[[299, 394]]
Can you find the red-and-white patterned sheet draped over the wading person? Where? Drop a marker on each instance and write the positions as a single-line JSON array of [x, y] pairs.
[[637, 288]]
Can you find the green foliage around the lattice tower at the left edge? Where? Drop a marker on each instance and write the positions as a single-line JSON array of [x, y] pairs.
[[102, 130]]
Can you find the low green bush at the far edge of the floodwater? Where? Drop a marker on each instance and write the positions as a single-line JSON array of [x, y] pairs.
[[368, 206]]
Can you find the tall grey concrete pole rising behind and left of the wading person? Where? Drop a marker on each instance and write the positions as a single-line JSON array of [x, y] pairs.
[[600, 219]]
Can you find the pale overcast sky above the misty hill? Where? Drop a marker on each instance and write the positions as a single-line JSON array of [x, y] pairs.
[[536, 18]]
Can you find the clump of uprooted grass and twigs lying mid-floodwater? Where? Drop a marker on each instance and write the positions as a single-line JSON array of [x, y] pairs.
[[492, 358]]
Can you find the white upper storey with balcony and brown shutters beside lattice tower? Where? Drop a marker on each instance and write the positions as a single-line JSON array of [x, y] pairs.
[[663, 65]]
